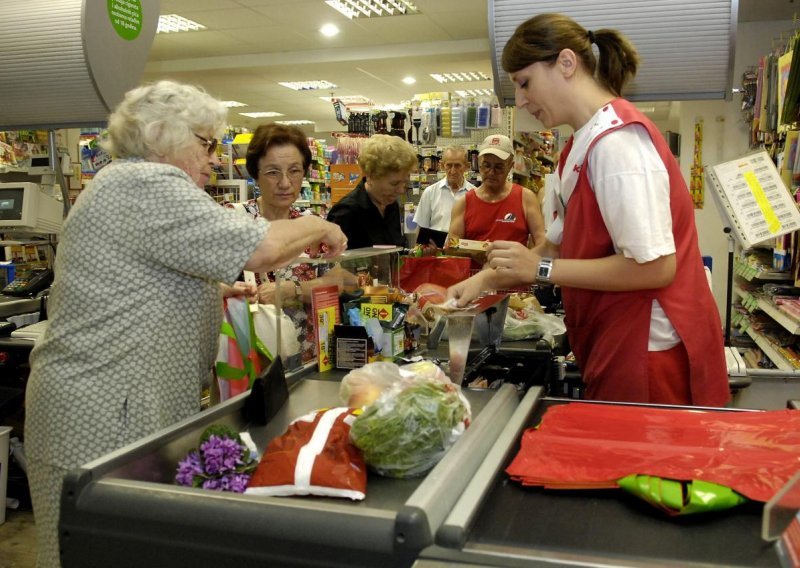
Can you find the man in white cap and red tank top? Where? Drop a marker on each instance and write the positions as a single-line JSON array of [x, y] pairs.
[[498, 210]]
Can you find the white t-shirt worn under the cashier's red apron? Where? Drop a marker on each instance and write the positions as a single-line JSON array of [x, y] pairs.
[[631, 185]]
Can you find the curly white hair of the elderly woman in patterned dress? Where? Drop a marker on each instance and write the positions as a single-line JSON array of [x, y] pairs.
[[161, 120]]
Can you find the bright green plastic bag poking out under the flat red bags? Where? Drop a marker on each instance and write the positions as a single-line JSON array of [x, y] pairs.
[[681, 497]]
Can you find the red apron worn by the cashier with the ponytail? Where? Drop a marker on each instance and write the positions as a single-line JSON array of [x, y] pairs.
[[609, 331]]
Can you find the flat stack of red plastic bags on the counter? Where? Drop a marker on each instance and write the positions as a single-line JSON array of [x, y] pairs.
[[583, 445]]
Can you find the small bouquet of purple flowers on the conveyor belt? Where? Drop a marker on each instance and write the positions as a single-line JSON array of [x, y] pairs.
[[222, 462]]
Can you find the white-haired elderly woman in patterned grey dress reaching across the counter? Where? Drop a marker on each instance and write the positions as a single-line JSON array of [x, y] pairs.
[[136, 308]]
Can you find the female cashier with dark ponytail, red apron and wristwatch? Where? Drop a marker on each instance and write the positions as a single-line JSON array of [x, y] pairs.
[[640, 316]]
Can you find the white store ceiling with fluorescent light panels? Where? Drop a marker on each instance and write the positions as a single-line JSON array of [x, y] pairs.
[[250, 46]]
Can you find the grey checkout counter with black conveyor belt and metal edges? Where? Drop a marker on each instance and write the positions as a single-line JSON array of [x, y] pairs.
[[125, 510]]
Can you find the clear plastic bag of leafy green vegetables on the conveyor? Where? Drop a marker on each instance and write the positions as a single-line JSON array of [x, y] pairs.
[[410, 427]]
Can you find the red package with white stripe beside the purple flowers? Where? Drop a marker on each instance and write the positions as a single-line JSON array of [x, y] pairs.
[[313, 457]]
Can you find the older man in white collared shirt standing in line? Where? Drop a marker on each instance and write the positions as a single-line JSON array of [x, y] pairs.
[[436, 203]]
